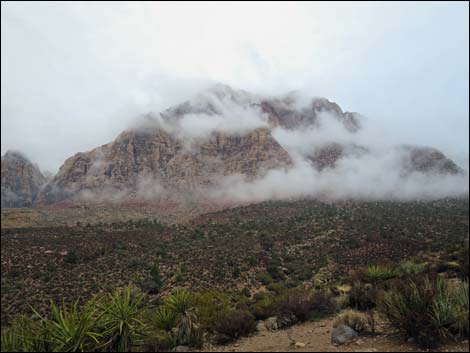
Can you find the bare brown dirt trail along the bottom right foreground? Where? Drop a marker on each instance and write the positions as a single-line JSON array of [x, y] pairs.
[[316, 337]]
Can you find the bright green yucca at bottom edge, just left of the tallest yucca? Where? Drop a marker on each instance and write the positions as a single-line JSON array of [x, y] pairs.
[[71, 329]]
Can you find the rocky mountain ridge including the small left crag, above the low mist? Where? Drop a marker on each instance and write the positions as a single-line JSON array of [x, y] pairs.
[[192, 148]]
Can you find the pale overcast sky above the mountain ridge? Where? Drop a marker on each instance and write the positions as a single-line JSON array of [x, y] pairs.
[[74, 75]]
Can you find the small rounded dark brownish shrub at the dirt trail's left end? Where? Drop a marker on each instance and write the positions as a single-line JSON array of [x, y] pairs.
[[234, 324]]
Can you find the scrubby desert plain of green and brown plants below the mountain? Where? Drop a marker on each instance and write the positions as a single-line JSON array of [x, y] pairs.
[[212, 280]]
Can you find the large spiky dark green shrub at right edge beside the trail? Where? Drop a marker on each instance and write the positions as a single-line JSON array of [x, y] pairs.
[[428, 310]]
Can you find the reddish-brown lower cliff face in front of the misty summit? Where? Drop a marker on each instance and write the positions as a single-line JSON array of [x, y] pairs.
[[136, 156]]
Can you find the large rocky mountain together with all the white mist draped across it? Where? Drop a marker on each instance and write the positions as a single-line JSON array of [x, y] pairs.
[[226, 144]]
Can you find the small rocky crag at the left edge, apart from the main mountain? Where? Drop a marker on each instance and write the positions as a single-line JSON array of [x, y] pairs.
[[21, 181]]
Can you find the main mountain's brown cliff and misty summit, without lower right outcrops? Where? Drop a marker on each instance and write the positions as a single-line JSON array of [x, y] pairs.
[[156, 153]]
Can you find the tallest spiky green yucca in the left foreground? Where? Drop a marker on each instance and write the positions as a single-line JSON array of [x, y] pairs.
[[121, 320]]
